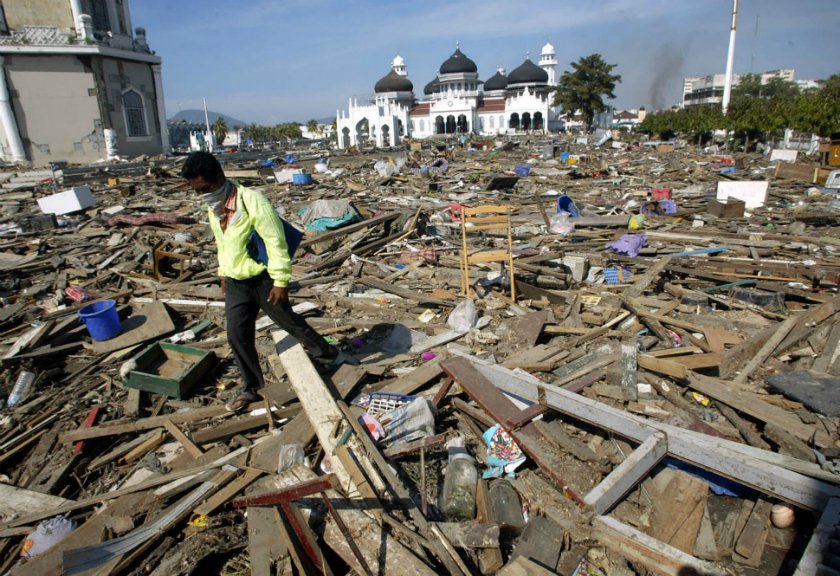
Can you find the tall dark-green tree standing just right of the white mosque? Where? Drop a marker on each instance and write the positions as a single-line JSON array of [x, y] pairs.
[[584, 89]]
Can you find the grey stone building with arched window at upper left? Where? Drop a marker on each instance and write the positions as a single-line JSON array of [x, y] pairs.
[[77, 83]]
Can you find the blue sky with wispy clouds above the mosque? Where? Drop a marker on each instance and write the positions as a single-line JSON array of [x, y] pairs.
[[272, 61]]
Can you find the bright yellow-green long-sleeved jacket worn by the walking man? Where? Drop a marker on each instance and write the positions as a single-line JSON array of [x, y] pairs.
[[253, 210]]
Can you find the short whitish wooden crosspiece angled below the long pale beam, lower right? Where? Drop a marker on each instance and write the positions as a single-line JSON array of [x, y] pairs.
[[627, 474]]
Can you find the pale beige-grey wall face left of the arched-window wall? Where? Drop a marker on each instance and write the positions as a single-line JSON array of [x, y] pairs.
[[55, 105]]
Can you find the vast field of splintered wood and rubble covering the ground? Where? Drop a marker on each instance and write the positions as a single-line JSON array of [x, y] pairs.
[[635, 372]]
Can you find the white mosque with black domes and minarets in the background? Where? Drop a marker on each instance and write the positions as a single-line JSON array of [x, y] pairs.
[[455, 102]]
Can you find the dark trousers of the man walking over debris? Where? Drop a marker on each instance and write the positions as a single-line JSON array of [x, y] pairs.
[[243, 301]]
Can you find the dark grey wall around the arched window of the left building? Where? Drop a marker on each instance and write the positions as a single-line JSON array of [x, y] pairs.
[[121, 75]]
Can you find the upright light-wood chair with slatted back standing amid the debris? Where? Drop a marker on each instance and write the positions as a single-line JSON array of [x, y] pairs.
[[480, 219]]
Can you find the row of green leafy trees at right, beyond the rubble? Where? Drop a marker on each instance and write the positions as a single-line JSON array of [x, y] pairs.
[[756, 112]]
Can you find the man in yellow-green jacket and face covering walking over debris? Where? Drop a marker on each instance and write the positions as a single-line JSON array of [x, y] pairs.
[[249, 285]]
